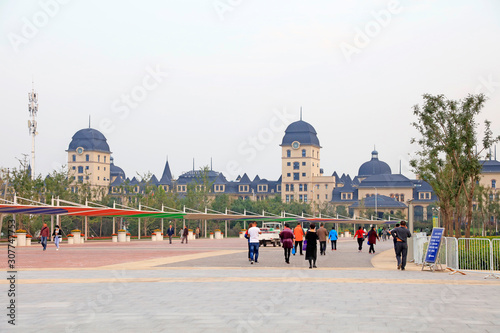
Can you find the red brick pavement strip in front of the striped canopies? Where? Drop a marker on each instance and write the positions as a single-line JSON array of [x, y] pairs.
[[102, 253]]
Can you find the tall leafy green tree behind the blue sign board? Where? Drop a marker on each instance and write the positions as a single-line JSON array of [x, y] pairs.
[[448, 158]]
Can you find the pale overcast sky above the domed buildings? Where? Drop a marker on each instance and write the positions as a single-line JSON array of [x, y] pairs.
[[219, 80]]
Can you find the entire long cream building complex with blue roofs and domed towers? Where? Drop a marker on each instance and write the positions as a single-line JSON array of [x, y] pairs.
[[375, 188]]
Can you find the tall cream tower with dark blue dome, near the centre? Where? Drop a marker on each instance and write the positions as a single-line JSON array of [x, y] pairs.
[[302, 177]]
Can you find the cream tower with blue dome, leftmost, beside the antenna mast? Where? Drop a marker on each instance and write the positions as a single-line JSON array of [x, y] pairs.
[[89, 160]]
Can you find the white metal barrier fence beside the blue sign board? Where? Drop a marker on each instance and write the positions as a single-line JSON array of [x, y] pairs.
[[464, 254]]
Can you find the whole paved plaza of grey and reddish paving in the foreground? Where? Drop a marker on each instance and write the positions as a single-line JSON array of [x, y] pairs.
[[209, 286]]
